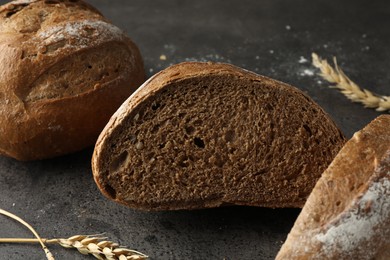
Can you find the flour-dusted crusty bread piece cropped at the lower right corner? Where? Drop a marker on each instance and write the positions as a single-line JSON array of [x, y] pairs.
[[347, 216]]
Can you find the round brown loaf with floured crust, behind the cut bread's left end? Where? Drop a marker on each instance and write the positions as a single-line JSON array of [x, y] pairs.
[[64, 70]]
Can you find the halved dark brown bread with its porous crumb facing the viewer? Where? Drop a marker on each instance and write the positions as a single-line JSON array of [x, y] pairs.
[[203, 135]]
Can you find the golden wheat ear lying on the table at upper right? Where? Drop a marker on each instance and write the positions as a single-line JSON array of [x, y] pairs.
[[349, 88]]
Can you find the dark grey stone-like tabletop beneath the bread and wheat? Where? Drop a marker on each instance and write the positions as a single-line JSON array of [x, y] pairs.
[[271, 37]]
